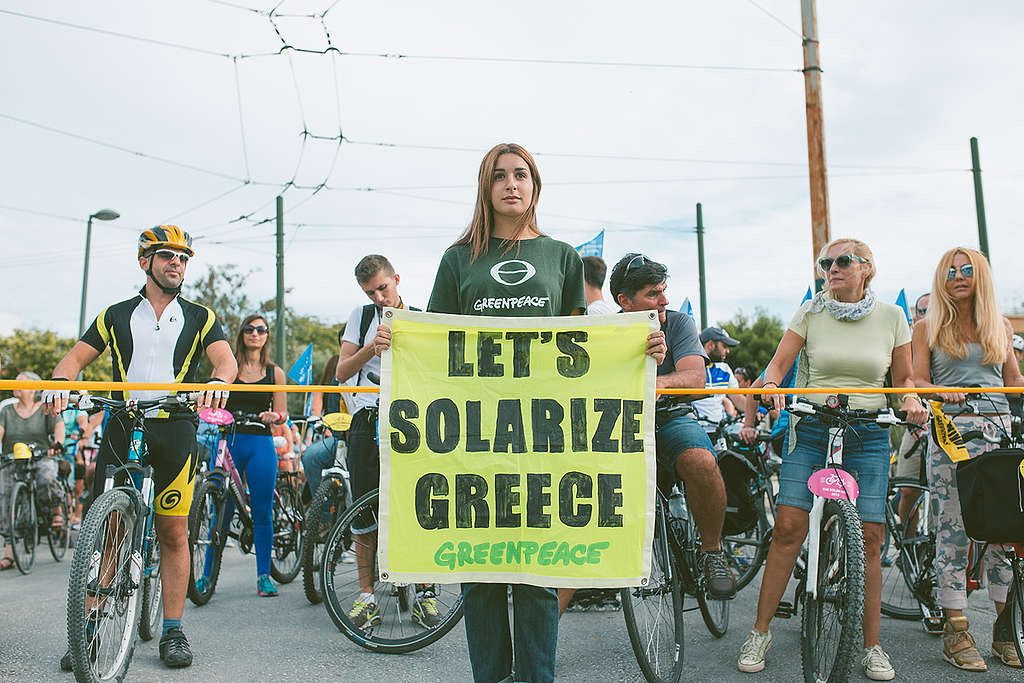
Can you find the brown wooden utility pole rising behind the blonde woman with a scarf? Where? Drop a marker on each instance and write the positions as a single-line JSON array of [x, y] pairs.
[[821, 230]]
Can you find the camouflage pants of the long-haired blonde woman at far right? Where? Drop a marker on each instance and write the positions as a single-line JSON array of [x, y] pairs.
[[952, 541]]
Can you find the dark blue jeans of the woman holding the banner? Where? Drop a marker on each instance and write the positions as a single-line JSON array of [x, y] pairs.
[[491, 643]]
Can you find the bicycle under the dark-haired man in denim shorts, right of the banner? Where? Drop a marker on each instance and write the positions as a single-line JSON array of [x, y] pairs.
[[654, 612]]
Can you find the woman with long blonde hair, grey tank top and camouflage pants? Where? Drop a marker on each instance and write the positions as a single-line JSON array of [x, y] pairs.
[[964, 341]]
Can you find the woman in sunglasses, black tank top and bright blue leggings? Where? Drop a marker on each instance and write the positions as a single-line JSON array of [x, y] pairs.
[[252, 448]]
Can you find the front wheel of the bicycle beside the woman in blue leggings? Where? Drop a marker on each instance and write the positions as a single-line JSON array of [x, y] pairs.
[[206, 535]]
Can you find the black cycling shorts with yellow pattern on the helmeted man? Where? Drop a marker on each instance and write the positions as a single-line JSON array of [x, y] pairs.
[[173, 453]]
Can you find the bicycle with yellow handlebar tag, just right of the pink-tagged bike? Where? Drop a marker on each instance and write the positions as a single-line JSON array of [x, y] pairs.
[[330, 499]]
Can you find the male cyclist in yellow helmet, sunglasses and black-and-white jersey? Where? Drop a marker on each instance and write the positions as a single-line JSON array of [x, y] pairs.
[[157, 336]]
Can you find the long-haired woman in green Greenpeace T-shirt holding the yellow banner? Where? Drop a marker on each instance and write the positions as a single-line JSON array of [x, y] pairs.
[[504, 266]]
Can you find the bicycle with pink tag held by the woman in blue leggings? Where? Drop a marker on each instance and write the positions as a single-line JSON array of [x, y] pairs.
[[209, 527]]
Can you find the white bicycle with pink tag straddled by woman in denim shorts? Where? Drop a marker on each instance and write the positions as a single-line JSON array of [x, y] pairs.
[[830, 570]]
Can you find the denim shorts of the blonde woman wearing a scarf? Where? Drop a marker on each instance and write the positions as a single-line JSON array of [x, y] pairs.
[[866, 456]]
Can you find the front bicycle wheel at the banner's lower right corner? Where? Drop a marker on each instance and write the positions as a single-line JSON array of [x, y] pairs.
[[657, 608]]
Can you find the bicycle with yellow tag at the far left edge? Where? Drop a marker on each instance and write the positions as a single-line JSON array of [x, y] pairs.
[[29, 519]]
